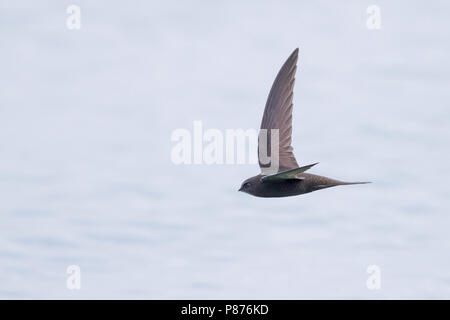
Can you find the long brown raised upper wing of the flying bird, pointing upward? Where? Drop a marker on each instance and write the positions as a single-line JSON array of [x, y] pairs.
[[278, 115]]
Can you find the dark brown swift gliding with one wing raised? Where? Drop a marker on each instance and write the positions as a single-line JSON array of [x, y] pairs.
[[282, 178]]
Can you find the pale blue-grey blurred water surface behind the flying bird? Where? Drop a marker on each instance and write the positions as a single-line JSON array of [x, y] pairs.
[[86, 178]]
